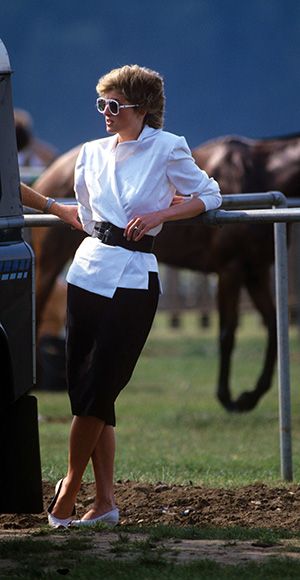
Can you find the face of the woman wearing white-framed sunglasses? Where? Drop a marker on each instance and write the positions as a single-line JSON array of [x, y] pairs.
[[128, 123]]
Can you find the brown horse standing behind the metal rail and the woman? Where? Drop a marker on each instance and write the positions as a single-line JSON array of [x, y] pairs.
[[241, 254]]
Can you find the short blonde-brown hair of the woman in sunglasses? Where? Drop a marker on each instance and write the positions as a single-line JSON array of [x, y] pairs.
[[139, 85]]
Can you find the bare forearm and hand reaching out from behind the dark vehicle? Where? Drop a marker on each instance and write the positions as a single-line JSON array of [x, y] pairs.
[[68, 213]]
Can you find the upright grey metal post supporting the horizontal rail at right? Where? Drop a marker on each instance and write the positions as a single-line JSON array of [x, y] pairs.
[[281, 280]]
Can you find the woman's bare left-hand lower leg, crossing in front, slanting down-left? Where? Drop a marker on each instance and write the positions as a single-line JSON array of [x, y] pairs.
[[84, 435]]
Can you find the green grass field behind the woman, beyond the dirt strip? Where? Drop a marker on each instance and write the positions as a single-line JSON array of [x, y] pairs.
[[171, 428]]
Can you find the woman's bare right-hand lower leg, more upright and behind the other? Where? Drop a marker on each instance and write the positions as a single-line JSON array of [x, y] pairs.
[[103, 465]]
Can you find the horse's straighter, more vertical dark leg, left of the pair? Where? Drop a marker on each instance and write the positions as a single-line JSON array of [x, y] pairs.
[[230, 282]]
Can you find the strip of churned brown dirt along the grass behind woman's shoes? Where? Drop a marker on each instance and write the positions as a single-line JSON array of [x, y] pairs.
[[255, 506]]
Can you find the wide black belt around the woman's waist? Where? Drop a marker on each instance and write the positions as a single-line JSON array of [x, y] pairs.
[[113, 236]]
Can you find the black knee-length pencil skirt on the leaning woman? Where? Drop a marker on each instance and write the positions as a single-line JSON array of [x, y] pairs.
[[105, 337]]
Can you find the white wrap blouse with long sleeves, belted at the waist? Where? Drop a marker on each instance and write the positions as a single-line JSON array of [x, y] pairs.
[[116, 181]]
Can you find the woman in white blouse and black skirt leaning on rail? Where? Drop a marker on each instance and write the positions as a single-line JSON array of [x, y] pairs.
[[125, 185]]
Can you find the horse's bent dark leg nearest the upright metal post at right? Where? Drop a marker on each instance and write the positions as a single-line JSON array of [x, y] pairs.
[[260, 292]]
